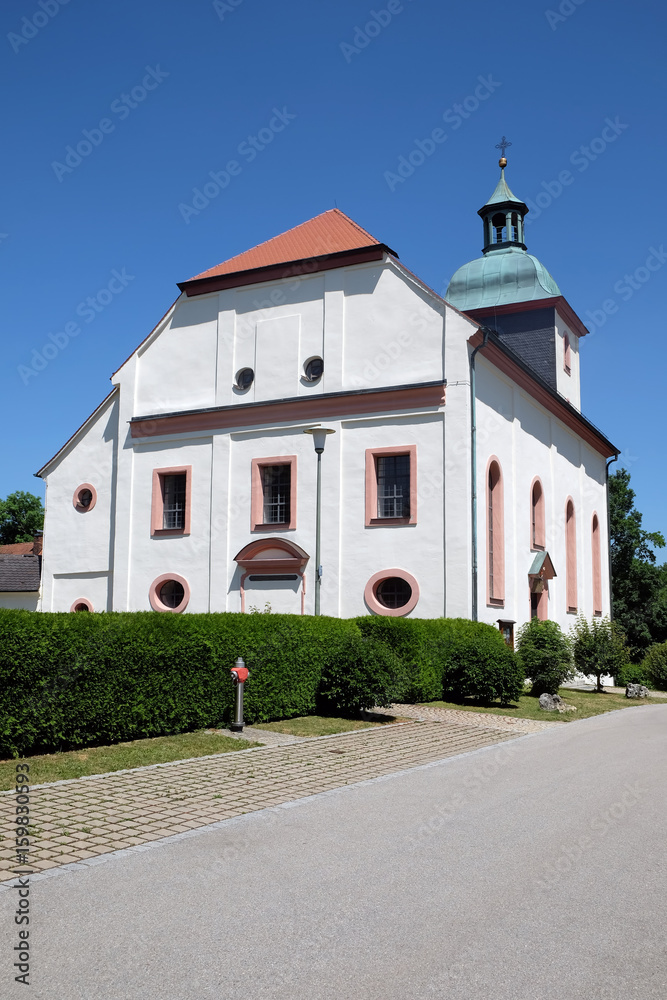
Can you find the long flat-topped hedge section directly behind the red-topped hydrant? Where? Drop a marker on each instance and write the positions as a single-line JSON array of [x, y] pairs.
[[76, 680]]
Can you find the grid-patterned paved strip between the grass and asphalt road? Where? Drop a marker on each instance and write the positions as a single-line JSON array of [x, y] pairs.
[[80, 818]]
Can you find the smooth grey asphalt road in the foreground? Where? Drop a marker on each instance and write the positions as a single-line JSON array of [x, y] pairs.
[[527, 871]]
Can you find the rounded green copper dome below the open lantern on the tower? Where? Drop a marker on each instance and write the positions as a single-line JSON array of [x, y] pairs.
[[499, 277]]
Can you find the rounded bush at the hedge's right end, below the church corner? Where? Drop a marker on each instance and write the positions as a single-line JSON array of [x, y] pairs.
[[477, 662]]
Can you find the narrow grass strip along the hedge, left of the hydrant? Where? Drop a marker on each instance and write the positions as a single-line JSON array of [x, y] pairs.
[[137, 753]]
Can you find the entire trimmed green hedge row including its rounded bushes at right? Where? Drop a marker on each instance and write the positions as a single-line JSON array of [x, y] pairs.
[[69, 681]]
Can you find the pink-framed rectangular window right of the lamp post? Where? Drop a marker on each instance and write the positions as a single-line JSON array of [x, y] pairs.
[[391, 486]]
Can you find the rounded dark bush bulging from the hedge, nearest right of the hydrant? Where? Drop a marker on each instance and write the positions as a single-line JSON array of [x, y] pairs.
[[364, 673]]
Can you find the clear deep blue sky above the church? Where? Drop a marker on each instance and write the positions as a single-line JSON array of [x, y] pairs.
[[181, 86]]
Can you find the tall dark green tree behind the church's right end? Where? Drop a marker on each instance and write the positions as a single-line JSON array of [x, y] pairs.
[[639, 587]]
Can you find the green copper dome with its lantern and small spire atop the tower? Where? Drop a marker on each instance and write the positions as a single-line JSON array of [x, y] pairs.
[[505, 272]]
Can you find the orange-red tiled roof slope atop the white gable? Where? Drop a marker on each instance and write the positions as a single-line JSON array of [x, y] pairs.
[[329, 233]]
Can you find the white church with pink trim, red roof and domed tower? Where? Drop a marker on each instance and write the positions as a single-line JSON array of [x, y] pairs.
[[312, 429]]
